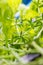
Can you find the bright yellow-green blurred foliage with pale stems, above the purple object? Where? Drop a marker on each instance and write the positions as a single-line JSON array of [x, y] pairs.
[[17, 35]]
